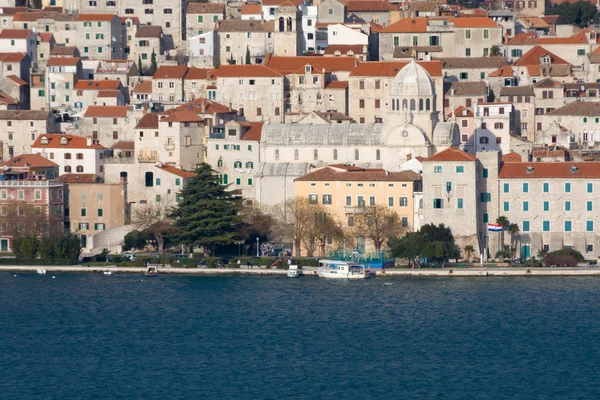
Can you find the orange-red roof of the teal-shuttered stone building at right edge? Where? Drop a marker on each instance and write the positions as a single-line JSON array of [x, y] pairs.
[[550, 170]]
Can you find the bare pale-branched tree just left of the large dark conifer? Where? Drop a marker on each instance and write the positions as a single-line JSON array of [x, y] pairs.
[[154, 218]]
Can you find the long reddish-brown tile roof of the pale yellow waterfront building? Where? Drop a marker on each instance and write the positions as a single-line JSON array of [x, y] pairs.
[[345, 174]]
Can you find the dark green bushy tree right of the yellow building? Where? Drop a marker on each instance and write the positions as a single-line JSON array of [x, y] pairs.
[[434, 242]]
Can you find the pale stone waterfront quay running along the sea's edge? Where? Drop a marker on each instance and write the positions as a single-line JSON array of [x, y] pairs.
[[310, 271]]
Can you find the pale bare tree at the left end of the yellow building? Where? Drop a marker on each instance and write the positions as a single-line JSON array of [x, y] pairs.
[[293, 221]]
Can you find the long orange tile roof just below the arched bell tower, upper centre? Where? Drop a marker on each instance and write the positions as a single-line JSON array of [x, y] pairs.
[[291, 65]]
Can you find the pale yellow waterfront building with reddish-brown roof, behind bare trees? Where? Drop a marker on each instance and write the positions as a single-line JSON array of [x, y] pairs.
[[346, 191]]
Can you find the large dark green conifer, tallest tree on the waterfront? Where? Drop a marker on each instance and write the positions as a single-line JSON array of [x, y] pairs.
[[208, 214]]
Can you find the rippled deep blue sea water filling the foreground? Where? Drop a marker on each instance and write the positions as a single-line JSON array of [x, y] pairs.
[[131, 337]]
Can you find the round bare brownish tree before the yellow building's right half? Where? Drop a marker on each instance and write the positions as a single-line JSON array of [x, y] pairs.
[[378, 223]]
